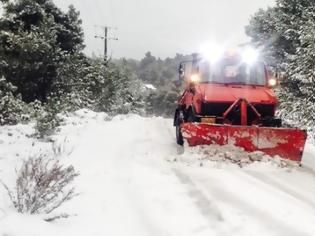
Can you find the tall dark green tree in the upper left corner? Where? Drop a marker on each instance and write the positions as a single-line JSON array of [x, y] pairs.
[[35, 36]]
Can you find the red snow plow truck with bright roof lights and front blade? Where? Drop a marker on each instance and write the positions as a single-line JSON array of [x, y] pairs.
[[230, 100]]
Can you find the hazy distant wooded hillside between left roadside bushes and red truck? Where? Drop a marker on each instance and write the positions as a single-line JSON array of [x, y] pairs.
[[161, 97]]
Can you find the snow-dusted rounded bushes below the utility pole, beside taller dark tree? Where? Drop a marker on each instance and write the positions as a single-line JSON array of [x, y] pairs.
[[90, 83]]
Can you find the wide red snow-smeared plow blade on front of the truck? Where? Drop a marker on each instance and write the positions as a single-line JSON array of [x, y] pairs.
[[288, 143]]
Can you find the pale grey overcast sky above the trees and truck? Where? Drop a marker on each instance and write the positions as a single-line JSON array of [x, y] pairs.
[[163, 27]]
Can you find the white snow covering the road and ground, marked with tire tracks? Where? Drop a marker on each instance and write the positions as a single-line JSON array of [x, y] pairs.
[[135, 181]]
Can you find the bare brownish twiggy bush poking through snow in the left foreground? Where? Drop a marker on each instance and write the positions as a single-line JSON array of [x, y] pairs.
[[42, 185]]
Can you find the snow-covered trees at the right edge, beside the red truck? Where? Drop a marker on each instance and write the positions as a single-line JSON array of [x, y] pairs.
[[286, 34]]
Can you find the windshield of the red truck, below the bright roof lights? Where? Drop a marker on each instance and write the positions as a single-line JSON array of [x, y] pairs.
[[231, 72]]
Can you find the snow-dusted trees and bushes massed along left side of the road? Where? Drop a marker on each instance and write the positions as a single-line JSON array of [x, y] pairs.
[[44, 71]]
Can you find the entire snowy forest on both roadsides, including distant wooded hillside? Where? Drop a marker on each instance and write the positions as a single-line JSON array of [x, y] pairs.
[[43, 70]]
